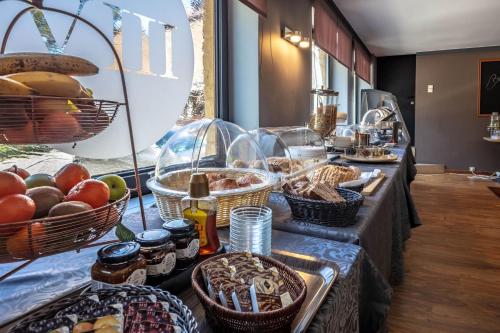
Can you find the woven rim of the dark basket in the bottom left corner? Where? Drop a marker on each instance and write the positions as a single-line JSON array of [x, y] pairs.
[[186, 319]]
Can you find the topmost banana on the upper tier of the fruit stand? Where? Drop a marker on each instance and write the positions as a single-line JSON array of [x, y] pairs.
[[30, 62]]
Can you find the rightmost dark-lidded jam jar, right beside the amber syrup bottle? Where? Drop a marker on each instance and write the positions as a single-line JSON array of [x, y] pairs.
[[187, 241]]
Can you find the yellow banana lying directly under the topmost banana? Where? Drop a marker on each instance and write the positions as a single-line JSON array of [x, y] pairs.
[[49, 84]]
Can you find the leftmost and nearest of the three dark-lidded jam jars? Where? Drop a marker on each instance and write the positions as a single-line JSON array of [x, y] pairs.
[[119, 263]]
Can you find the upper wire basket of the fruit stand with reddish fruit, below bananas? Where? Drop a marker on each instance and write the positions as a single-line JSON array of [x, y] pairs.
[[50, 120]]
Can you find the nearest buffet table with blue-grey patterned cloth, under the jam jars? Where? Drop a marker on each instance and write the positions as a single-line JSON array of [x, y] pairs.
[[358, 301]]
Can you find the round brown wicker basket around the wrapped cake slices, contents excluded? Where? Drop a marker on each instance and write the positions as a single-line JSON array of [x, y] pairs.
[[227, 320]]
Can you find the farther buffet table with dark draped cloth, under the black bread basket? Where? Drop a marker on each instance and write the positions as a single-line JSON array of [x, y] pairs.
[[383, 223]]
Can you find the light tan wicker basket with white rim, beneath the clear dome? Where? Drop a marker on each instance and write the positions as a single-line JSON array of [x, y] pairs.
[[169, 191]]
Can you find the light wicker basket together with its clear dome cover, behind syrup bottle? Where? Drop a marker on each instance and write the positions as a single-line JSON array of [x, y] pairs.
[[236, 167]]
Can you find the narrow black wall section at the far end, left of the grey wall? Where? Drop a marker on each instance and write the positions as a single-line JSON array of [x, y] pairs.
[[397, 75]]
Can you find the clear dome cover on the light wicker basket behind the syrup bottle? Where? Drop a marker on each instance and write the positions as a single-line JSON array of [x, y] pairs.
[[221, 149]]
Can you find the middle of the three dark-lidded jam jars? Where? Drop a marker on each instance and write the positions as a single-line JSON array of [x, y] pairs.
[[159, 251]]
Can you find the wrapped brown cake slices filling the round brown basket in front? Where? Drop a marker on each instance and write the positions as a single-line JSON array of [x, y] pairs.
[[240, 282]]
